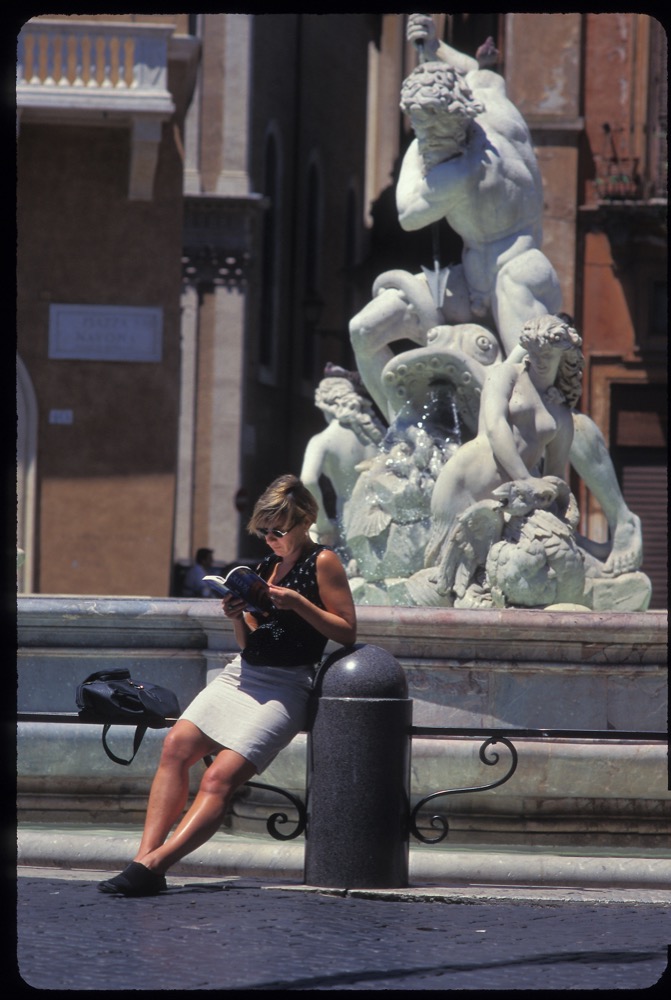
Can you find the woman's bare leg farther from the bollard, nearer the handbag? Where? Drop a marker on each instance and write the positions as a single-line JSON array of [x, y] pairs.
[[183, 746]]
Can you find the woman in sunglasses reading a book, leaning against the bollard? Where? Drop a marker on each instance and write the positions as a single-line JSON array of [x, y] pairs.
[[256, 706]]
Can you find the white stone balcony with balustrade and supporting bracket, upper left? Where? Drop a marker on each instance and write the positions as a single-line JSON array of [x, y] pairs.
[[98, 73]]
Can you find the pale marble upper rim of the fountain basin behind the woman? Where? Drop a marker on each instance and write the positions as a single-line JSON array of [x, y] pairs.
[[510, 634]]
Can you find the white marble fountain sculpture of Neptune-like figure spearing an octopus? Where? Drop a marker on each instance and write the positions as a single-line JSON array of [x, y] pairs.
[[461, 499]]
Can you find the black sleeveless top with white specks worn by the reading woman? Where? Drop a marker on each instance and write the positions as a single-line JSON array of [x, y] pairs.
[[283, 638]]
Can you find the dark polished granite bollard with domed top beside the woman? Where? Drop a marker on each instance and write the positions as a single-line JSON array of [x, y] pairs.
[[359, 772]]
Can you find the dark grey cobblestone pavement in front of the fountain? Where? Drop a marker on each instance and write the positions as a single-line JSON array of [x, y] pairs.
[[245, 934]]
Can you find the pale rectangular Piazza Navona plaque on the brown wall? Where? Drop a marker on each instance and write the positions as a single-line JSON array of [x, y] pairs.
[[105, 333]]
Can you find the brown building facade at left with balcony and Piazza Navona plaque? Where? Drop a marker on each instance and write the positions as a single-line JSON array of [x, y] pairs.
[[99, 218]]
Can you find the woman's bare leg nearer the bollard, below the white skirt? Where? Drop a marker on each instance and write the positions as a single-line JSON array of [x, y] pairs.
[[203, 818]]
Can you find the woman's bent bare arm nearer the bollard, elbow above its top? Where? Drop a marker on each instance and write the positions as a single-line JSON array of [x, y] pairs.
[[337, 620]]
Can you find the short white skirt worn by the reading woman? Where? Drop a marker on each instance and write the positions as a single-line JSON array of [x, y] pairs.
[[254, 710]]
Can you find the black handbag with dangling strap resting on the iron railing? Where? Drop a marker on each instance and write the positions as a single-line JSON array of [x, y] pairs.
[[110, 696]]
